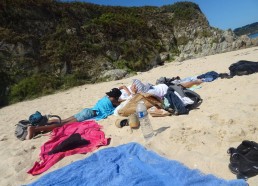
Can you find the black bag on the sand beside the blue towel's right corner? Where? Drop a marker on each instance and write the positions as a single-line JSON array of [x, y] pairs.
[[244, 160]]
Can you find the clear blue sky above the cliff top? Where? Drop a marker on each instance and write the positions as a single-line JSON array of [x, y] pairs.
[[222, 14]]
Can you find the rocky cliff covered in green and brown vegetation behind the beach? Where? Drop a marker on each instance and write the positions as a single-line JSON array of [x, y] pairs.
[[47, 45]]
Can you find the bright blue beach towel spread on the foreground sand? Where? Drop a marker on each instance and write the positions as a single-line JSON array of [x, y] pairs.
[[130, 164]]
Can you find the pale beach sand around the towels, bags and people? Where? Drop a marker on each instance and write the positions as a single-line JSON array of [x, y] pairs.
[[227, 116]]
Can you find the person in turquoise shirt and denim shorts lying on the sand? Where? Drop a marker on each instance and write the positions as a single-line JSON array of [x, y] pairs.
[[103, 108]]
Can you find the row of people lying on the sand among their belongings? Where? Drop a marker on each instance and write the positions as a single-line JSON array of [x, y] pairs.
[[106, 105]]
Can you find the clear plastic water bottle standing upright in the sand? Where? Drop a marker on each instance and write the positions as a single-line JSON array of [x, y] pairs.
[[145, 124]]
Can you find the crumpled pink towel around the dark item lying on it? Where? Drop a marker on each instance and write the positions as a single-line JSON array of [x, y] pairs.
[[89, 130]]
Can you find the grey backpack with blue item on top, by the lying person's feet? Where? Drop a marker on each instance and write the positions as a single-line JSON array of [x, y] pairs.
[[34, 120]]
